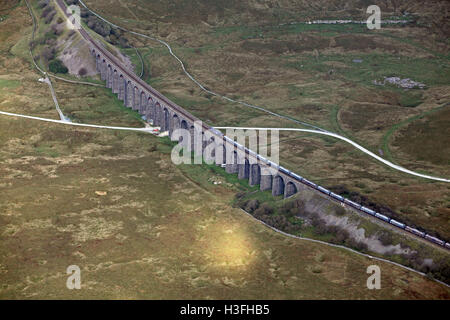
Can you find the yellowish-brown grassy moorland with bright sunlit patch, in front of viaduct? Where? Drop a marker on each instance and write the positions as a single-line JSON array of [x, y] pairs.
[[98, 199]]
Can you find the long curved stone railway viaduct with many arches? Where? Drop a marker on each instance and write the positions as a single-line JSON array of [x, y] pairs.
[[141, 97]]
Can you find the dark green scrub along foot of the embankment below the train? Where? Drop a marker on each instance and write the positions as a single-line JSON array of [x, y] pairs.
[[290, 216]]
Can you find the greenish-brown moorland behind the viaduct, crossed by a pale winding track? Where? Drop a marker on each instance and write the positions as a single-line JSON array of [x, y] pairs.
[[322, 74]]
